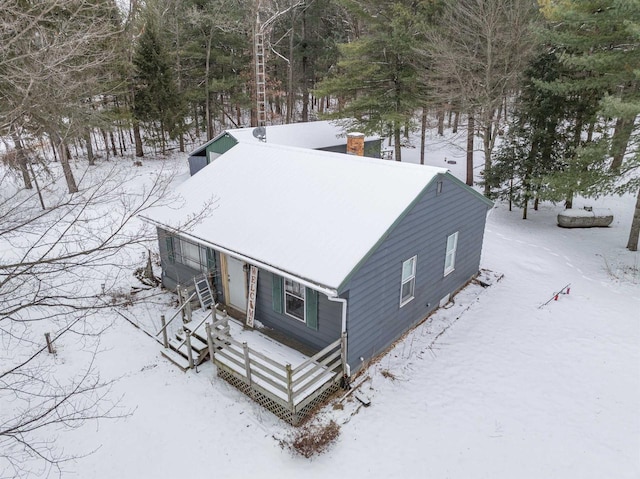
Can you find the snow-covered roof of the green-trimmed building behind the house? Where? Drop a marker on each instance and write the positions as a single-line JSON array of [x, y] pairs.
[[313, 135]]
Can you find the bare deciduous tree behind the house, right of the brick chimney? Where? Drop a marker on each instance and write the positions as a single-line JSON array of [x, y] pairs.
[[479, 52]]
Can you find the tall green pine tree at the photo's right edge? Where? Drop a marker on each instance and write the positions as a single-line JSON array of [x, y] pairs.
[[600, 45]]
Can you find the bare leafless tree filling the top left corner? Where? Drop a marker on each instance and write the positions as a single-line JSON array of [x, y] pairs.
[[54, 64]]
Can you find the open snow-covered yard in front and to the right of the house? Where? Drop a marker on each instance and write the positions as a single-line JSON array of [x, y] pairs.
[[494, 387]]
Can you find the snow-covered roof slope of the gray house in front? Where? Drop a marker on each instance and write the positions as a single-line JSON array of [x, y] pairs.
[[311, 214]]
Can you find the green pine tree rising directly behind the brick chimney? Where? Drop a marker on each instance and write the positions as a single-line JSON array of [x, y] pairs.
[[377, 75]]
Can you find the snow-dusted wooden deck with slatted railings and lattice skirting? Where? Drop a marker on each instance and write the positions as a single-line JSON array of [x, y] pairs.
[[283, 380]]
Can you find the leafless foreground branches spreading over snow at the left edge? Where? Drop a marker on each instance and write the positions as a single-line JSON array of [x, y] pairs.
[[59, 267]]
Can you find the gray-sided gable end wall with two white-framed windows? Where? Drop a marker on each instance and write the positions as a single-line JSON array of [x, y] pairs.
[[375, 318]]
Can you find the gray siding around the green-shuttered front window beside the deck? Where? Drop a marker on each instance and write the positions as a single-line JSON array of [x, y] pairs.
[[329, 317]]
